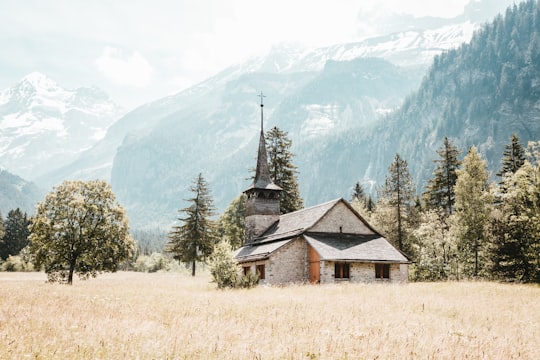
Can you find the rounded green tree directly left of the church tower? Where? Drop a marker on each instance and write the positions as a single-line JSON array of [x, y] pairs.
[[232, 223]]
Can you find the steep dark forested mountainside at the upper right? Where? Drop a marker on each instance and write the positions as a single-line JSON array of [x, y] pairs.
[[478, 94]]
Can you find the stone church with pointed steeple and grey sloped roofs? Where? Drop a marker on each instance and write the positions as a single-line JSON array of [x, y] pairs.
[[326, 243]]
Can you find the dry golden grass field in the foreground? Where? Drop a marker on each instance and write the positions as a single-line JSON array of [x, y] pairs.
[[173, 316]]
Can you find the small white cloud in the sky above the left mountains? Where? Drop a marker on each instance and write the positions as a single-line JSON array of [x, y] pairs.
[[130, 70]]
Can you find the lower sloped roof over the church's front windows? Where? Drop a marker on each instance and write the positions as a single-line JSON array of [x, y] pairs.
[[355, 247]]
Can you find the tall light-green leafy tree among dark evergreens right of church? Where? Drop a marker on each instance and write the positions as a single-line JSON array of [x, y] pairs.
[[473, 201]]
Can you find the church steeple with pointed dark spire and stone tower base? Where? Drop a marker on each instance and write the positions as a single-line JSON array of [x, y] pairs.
[[262, 205]]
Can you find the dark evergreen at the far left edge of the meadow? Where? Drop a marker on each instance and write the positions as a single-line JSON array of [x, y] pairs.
[[16, 233]]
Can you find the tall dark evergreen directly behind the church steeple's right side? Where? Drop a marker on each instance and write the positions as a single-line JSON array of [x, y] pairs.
[[282, 170]]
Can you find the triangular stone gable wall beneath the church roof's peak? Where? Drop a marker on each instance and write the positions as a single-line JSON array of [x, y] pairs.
[[341, 219]]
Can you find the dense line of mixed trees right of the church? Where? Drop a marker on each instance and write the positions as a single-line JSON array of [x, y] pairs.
[[462, 226]]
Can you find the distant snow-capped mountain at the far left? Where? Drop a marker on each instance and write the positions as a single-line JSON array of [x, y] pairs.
[[44, 126]]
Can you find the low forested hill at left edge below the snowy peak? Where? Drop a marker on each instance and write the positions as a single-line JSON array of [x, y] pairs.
[[17, 193]]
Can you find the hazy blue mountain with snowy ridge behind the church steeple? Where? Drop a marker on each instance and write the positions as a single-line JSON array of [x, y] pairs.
[[334, 102]]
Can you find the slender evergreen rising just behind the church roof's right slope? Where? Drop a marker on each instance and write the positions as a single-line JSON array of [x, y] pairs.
[[398, 195]]
